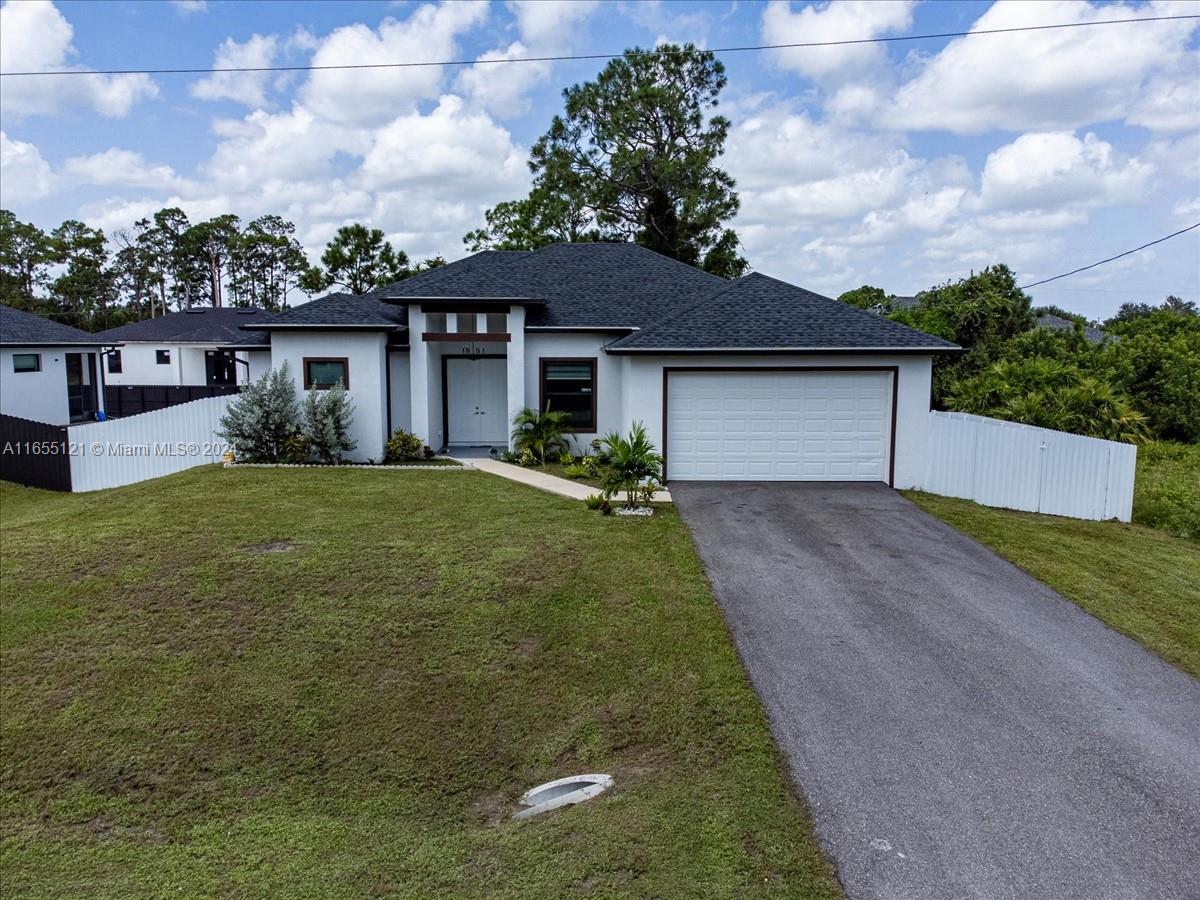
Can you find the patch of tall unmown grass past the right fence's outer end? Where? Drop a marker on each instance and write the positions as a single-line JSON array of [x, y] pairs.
[[1167, 494]]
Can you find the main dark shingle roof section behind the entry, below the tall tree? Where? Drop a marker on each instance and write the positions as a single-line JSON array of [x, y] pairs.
[[583, 285]]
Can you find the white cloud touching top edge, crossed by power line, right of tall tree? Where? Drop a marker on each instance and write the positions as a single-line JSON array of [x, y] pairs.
[[845, 21]]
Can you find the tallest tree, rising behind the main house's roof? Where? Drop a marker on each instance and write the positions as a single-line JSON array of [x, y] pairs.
[[633, 159]]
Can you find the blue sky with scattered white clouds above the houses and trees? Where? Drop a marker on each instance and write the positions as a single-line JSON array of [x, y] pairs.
[[897, 165]]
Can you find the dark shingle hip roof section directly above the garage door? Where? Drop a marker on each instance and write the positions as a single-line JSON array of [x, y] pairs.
[[760, 313]]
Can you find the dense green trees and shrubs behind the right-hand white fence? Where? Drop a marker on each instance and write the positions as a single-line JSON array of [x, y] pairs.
[[1141, 381]]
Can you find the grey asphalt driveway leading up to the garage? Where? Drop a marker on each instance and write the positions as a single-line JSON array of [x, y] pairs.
[[958, 729]]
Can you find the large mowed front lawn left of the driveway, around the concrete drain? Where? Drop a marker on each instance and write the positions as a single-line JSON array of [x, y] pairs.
[[337, 683]]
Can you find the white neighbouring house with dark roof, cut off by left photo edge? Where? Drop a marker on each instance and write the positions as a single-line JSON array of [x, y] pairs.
[[50, 373]]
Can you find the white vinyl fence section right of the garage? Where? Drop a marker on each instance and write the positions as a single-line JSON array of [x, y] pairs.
[[1001, 464]]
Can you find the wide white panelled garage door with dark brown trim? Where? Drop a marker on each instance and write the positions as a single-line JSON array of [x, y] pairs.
[[779, 427]]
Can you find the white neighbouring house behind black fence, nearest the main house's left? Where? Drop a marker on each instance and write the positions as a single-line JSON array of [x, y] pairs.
[[185, 349]]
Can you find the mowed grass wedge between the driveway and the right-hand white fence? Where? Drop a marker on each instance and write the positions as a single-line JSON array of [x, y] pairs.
[[1142, 581]]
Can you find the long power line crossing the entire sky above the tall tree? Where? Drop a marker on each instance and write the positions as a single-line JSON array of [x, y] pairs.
[[598, 56]]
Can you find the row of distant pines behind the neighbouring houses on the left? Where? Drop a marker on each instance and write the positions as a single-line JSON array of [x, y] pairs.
[[79, 275]]
